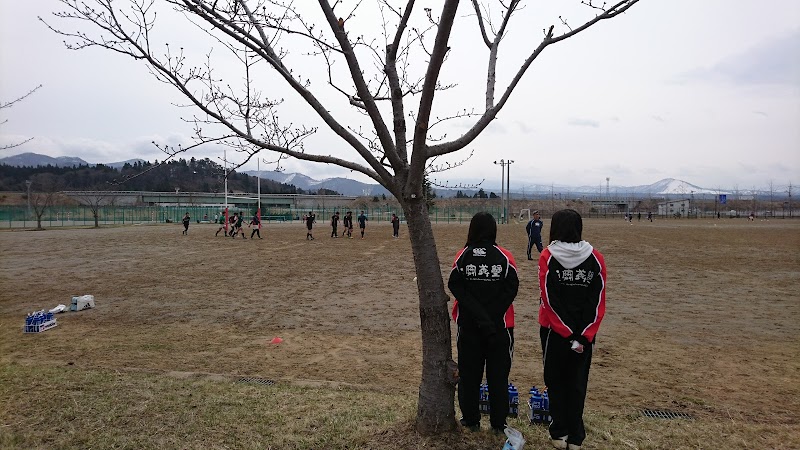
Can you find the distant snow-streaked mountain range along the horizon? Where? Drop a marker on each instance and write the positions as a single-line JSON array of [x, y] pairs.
[[345, 186]]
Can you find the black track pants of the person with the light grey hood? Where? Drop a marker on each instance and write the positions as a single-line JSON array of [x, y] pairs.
[[566, 375]]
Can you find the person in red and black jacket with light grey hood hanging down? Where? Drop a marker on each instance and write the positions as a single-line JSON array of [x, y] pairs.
[[572, 283]]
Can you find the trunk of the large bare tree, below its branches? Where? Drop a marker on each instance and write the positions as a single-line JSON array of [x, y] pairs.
[[435, 409]]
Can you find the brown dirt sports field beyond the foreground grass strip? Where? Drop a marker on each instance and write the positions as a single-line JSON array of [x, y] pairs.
[[703, 316]]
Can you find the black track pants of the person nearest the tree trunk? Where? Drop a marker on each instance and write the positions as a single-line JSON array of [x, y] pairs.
[[474, 353]]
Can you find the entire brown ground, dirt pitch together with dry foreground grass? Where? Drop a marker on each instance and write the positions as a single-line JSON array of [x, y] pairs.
[[703, 317]]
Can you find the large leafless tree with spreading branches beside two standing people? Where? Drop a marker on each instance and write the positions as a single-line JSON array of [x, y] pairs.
[[376, 77]]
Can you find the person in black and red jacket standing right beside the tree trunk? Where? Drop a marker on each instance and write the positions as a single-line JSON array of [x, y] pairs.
[[484, 282]]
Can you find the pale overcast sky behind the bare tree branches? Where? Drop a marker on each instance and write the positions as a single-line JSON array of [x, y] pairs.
[[705, 91]]
